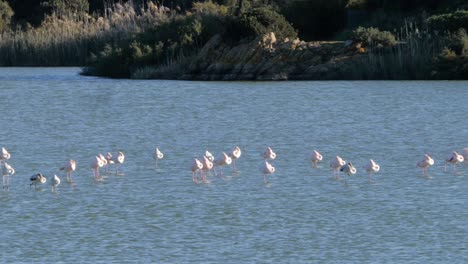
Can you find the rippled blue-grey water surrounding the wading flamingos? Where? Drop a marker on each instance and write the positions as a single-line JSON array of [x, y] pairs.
[[155, 213]]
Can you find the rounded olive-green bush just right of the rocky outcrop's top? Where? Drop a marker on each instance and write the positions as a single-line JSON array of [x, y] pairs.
[[373, 36]]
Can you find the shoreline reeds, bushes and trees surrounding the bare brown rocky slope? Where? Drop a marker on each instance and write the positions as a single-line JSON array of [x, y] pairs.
[[398, 39]]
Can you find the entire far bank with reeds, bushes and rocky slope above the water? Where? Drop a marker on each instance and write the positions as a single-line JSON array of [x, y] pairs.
[[228, 40]]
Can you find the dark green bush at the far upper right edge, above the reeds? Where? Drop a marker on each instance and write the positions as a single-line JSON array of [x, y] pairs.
[[451, 22]]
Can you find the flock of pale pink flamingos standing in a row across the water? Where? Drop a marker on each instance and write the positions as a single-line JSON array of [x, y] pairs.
[[201, 167]]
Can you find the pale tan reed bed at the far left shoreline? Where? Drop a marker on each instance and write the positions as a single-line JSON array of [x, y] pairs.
[[69, 40]]
